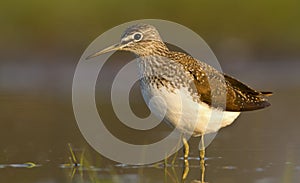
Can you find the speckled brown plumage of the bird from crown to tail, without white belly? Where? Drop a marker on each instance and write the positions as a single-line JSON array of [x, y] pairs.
[[210, 85]]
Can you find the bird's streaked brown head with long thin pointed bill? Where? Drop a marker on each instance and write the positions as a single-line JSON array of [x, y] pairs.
[[141, 39]]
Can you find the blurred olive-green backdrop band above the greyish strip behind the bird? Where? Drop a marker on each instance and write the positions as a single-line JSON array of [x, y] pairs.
[[33, 28]]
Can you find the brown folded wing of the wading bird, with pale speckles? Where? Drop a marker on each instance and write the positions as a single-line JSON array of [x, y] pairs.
[[210, 82]]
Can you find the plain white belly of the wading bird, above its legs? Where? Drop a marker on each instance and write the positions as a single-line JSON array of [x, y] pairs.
[[185, 114]]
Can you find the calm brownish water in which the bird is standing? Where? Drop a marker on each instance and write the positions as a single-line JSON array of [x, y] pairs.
[[37, 124]]
